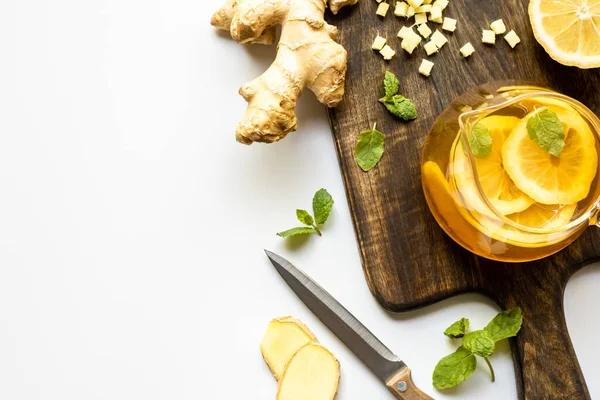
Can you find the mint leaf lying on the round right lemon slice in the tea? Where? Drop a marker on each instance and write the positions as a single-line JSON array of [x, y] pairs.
[[547, 131]]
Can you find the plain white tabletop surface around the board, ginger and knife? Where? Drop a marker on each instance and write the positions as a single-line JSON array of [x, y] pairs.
[[132, 224]]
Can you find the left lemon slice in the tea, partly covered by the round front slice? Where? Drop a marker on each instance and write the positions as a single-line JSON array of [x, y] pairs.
[[495, 182]]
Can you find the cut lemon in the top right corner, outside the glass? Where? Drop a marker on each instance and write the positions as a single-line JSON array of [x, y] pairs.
[[569, 30]]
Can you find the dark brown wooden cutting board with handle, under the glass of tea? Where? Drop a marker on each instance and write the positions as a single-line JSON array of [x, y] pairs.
[[409, 262]]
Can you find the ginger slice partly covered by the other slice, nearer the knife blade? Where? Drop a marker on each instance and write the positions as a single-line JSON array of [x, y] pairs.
[[283, 338]]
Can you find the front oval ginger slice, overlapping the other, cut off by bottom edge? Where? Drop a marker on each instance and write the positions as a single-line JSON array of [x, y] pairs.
[[313, 373]]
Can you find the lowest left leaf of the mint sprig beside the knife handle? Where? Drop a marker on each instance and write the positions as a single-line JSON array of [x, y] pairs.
[[454, 369]]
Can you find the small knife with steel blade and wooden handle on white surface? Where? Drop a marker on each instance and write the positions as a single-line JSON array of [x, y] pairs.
[[385, 365]]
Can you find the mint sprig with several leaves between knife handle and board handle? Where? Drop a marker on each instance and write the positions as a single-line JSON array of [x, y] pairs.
[[460, 365]]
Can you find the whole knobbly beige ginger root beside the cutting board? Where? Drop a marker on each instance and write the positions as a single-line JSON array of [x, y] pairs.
[[307, 56]]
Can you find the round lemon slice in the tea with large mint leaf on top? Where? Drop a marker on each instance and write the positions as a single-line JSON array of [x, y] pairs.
[[548, 179]]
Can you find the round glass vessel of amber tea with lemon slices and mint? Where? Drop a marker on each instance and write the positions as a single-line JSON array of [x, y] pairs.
[[511, 172]]
